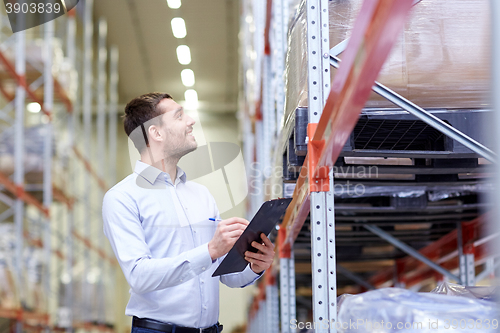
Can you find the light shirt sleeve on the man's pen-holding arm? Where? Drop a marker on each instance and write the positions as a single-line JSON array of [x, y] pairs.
[[144, 274]]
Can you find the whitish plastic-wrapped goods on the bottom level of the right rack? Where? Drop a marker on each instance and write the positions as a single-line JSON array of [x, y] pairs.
[[401, 310]]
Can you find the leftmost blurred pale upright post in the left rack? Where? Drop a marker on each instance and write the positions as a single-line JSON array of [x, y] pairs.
[[19, 161]]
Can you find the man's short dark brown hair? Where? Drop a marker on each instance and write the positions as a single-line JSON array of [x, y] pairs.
[[140, 113]]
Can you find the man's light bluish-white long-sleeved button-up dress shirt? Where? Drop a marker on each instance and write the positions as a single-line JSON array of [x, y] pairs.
[[159, 232]]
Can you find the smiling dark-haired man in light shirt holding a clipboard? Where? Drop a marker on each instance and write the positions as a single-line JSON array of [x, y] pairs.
[[158, 225]]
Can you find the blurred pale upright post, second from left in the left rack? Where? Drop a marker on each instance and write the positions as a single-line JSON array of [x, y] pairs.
[[48, 103]]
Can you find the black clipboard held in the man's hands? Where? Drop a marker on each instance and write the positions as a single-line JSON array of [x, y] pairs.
[[270, 213]]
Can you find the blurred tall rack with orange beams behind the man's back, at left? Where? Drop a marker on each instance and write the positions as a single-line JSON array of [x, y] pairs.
[[63, 215]]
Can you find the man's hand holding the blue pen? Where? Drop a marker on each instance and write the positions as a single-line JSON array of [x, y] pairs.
[[227, 233]]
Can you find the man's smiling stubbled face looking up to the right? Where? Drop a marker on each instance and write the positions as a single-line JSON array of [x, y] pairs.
[[177, 127]]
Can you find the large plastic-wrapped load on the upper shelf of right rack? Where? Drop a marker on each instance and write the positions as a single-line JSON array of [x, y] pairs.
[[440, 61]]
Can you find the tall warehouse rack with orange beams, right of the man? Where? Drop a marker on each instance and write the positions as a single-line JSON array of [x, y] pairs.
[[331, 137]]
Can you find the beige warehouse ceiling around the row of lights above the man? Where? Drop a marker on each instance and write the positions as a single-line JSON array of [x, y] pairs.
[[148, 62]]
